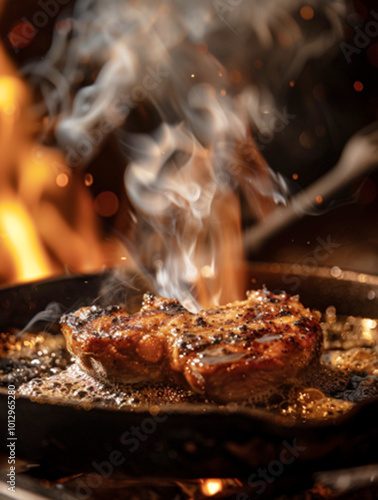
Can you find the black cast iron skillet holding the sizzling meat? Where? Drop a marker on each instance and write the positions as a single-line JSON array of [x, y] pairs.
[[191, 440]]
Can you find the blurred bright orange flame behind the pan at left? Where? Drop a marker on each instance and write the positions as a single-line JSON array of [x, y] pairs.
[[48, 223]]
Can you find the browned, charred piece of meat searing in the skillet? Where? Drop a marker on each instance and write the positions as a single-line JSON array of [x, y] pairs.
[[226, 353]]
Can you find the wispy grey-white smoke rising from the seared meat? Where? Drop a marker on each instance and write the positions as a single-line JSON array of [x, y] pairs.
[[186, 68]]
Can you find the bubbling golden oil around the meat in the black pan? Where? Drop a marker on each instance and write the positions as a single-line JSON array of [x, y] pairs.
[[40, 367]]
